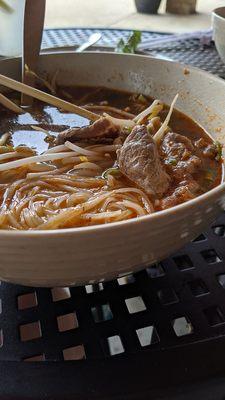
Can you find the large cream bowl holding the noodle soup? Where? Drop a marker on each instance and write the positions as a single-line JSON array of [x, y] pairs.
[[97, 253]]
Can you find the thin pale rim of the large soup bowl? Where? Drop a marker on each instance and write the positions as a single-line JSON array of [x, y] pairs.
[[137, 220]]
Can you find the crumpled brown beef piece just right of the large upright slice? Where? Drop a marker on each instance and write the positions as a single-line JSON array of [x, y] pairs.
[[180, 156]]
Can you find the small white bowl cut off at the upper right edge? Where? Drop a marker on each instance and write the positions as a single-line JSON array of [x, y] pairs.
[[218, 21]]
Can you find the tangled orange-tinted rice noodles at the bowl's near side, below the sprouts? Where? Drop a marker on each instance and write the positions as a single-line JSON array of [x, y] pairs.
[[71, 205]]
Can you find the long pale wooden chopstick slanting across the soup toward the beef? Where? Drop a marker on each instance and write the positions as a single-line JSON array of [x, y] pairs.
[[47, 98]]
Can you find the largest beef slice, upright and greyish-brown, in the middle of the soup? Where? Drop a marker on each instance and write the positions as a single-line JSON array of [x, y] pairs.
[[139, 160]]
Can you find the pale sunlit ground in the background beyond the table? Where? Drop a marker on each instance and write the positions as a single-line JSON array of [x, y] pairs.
[[122, 14]]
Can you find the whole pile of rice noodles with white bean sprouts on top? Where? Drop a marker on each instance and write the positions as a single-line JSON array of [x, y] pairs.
[[63, 188]]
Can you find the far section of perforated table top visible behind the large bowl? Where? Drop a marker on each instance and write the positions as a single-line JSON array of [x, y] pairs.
[[198, 53]]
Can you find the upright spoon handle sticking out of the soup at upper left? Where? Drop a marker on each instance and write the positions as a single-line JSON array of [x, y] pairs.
[[34, 15]]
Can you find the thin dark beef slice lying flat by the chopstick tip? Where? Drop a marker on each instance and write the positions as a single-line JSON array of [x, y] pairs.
[[103, 127]]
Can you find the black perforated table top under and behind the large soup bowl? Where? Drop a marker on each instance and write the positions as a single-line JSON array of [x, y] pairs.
[[159, 333]]
